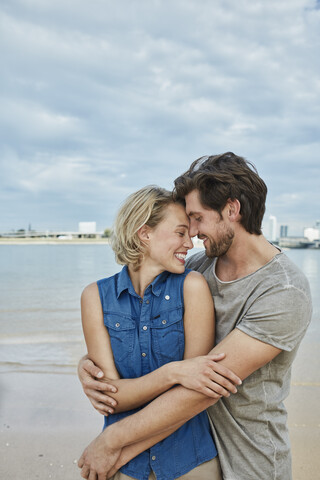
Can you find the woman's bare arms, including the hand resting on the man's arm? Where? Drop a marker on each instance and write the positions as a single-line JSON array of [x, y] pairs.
[[202, 374]]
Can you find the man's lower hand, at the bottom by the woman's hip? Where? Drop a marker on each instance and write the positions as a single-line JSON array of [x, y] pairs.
[[99, 460]]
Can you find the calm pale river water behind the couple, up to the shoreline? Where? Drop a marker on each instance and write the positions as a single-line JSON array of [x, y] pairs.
[[40, 288]]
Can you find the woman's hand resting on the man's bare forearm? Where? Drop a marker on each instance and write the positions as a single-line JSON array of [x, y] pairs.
[[204, 374]]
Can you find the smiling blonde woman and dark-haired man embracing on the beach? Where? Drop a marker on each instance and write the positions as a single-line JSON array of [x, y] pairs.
[[190, 361]]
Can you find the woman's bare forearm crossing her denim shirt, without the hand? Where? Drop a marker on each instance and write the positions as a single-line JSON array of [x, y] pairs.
[[134, 392]]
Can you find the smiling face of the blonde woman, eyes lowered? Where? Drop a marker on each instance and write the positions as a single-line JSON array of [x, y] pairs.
[[169, 241]]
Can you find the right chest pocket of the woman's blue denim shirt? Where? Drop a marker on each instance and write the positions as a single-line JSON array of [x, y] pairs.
[[167, 336]]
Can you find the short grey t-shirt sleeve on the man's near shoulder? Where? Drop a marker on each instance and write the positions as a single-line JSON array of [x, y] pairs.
[[278, 317]]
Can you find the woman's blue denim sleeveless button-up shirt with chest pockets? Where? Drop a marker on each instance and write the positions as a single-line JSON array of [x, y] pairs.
[[146, 334]]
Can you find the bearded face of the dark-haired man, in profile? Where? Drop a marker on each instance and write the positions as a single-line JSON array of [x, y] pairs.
[[216, 232]]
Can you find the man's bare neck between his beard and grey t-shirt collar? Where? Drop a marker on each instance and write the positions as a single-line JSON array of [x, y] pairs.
[[247, 254]]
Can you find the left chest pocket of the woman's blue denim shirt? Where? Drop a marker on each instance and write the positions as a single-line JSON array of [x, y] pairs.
[[122, 332]]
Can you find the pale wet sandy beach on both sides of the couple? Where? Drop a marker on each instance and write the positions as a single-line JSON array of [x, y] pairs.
[[46, 422]]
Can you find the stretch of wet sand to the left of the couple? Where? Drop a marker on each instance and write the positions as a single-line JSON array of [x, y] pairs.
[[46, 422]]
